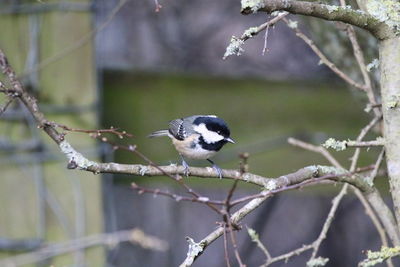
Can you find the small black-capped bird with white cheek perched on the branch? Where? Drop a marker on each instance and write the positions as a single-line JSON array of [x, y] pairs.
[[197, 137]]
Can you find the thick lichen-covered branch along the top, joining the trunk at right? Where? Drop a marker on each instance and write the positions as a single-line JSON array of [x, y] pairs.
[[327, 12]]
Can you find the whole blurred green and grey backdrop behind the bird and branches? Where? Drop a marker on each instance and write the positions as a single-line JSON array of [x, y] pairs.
[[102, 63]]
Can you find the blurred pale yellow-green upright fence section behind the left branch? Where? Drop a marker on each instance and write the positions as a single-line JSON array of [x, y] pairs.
[[40, 200]]
